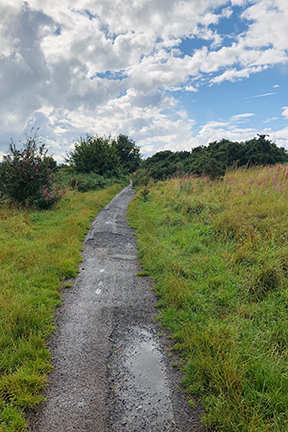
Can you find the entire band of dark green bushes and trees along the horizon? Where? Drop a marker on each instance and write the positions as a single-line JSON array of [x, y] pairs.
[[30, 177]]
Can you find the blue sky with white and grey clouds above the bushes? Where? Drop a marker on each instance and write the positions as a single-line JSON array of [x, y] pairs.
[[170, 74]]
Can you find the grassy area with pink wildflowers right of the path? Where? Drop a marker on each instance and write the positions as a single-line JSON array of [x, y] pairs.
[[218, 252]]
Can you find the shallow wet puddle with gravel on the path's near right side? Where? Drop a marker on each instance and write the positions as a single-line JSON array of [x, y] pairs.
[[141, 384]]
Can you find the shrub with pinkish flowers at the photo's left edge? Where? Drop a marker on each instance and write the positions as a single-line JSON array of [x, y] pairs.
[[24, 173]]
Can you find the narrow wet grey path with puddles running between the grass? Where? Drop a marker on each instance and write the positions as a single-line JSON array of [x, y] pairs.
[[111, 370]]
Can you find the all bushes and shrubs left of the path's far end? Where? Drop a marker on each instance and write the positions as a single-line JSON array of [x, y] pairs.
[[31, 178]]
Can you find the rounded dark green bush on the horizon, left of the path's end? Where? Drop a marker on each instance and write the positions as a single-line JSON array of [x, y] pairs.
[[105, 157]]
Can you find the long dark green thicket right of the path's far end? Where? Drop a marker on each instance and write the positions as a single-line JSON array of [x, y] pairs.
[[212, 160]]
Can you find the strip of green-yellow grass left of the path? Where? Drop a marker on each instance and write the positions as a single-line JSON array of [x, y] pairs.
[[39, 250]]
